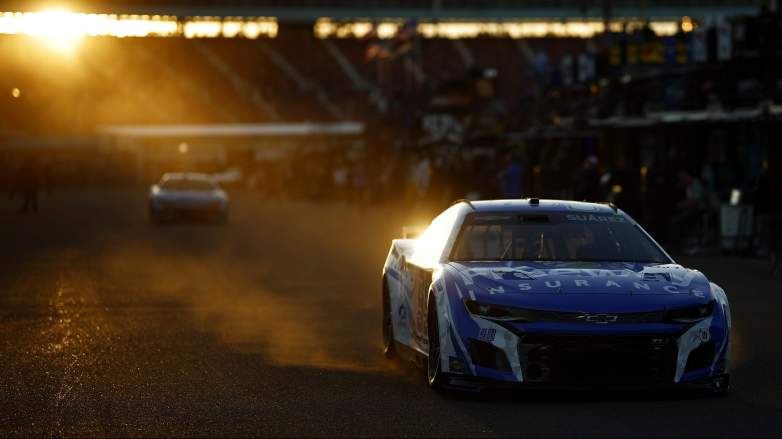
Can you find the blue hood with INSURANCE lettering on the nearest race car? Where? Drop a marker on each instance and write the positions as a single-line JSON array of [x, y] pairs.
[[581, 286]]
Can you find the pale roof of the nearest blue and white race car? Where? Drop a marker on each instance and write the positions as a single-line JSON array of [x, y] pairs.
[[530, 205]]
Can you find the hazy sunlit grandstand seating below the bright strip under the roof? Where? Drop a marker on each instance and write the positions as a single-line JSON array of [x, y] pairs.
[[294, 77]]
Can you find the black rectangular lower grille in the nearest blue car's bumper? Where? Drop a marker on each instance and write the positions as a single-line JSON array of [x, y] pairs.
[[598, 359]]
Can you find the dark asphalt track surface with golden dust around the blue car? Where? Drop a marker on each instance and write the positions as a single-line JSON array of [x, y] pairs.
[[270, 326]]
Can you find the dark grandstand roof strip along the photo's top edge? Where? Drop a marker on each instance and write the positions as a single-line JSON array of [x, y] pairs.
[[310, 10]]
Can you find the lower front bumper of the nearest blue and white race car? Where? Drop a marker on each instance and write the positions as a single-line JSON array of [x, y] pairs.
[[591, 356]]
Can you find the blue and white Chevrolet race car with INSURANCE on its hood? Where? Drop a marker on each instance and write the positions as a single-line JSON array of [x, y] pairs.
[[526, 293]]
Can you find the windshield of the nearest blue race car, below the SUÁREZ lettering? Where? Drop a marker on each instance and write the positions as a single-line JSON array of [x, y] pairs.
[[554, 237]]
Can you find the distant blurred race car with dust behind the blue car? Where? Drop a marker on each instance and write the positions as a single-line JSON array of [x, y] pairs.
[[187, 196]]
